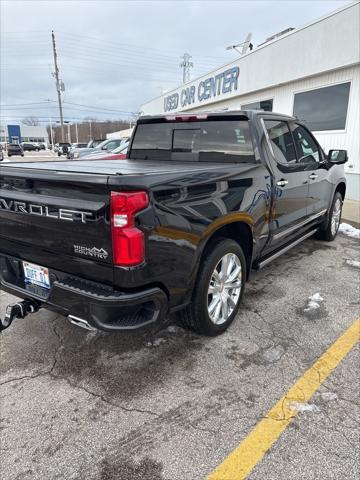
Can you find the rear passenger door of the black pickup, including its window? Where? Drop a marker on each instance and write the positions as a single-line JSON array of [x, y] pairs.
[[290, 184]]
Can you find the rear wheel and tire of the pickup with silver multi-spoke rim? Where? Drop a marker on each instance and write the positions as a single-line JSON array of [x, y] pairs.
[[197, 316]]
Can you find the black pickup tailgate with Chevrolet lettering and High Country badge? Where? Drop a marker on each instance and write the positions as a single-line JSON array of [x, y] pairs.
[[58, 221]]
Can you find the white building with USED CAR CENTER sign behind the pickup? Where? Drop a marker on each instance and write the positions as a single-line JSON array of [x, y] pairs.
[[312, 72]]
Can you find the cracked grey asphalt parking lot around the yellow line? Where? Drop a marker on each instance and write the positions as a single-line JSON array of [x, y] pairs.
[[172, 405]]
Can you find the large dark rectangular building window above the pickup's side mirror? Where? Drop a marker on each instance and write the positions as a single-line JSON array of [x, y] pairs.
[[323, 108]]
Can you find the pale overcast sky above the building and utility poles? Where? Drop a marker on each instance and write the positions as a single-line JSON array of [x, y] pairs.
[[115, 55]]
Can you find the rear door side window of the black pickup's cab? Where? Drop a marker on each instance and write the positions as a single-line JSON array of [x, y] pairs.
[[281, 141]]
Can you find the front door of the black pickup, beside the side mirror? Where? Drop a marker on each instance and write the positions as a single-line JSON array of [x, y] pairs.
[[310, 153]]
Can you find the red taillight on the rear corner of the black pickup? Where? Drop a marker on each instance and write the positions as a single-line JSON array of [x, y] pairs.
[[127, 240]]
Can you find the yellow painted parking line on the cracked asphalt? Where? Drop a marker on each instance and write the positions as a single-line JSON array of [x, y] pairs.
[[251, 450]]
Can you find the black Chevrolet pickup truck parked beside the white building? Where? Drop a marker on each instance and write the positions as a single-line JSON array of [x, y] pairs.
[[176, 227]]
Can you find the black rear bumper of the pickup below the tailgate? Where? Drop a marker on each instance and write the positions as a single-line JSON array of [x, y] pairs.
[[100, 305]]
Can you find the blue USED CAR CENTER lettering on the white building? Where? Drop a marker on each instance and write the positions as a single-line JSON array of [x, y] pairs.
[[224, 82]]
